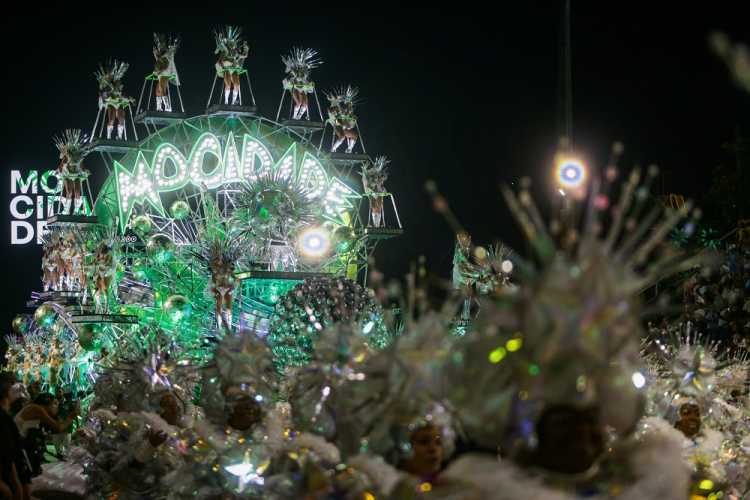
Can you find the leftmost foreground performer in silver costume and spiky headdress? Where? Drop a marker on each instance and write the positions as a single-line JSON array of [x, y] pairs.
[[132, 454]]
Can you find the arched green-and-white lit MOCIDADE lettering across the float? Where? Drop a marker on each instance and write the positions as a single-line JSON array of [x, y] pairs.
[[146, 180]]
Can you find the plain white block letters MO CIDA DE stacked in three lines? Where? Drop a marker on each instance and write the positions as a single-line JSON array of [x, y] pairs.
[[33, 203]]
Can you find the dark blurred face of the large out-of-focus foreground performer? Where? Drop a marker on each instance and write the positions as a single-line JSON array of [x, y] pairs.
[[570, 439]]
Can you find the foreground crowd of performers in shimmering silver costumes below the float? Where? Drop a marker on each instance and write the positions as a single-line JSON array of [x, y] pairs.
[[556, 390]]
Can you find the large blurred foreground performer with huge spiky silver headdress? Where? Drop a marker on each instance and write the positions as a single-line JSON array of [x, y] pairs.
[[550, 375]]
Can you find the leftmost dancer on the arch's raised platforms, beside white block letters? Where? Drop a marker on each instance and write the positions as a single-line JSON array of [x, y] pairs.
[[72, 147]]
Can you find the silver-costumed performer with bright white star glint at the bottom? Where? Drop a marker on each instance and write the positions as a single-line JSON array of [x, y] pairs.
[[244, 427]]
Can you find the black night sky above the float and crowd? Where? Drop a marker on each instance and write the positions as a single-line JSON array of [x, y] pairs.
[[464, 95]]
